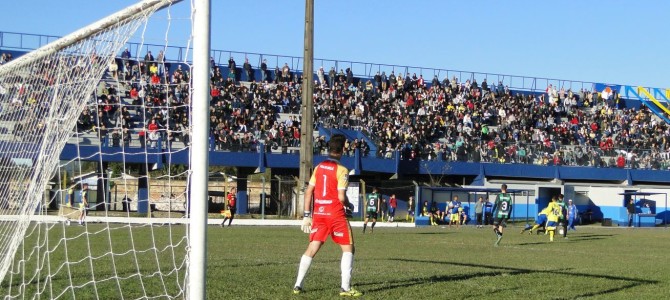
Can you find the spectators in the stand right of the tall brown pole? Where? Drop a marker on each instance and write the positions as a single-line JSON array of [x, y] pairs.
[[467, 121]]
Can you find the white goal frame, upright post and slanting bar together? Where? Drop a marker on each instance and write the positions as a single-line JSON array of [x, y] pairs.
[[199, 152]]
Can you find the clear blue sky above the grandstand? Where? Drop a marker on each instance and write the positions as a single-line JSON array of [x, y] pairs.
[[613, 41]]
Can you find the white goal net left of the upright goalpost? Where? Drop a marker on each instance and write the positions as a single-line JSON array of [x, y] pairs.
[[94, 163]]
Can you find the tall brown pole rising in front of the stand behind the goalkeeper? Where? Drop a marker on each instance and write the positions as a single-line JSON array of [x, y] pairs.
[[307, 107]]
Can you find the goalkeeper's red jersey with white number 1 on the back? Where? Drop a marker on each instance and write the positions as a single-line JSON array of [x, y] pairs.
[[328, 178]]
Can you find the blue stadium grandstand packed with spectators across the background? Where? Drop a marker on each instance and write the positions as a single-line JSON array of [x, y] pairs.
[[405, 122]]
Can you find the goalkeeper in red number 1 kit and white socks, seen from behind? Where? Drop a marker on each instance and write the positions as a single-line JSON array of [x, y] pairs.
[[328, 185]]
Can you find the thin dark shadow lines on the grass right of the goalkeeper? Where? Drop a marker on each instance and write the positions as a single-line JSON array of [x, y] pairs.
[[497, 270]]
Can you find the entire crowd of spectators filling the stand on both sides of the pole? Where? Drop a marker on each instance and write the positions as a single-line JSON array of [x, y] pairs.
[[401, 114]]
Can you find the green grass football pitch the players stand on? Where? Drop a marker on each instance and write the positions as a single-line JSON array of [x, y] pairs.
[[258, 262]]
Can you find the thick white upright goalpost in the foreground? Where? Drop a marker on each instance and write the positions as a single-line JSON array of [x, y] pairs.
[[199, 151]]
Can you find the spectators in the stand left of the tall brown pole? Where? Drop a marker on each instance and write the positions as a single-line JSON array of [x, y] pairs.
[[148, 100]]
